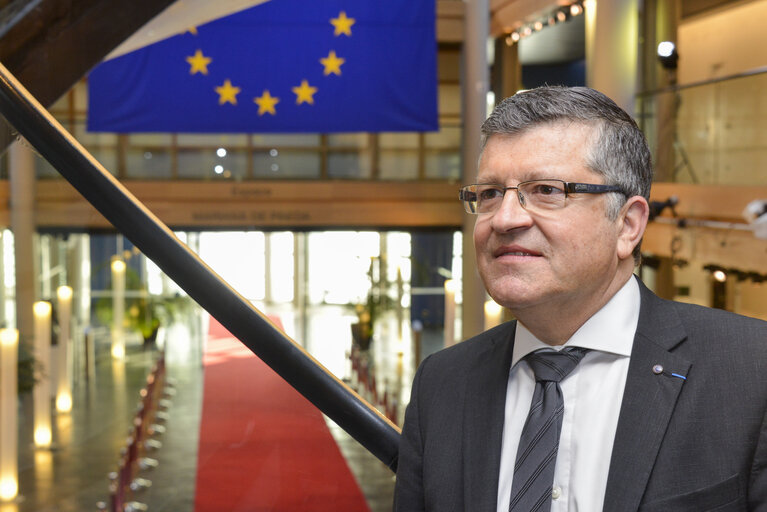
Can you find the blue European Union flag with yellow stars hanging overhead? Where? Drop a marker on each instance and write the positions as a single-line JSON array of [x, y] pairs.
[[281, 66]]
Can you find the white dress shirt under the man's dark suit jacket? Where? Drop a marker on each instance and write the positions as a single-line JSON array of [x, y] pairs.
[[592, 394]]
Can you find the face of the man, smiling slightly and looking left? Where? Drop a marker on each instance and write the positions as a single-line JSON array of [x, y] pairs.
[[563, 258]]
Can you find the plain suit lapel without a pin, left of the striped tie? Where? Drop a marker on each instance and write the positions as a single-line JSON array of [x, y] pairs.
[[483, 421]]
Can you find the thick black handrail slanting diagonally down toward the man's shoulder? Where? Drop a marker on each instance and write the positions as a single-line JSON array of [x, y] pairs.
[[126, 213]]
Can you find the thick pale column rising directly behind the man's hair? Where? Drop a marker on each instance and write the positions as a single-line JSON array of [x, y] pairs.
[[612, 49]]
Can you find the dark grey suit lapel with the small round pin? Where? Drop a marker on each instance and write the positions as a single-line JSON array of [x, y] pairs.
[[648, 403]]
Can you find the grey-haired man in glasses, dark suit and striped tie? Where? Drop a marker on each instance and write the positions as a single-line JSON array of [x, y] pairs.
[[662, 406]]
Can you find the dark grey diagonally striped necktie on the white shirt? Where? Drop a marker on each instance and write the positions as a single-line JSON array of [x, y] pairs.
[[533, 478]]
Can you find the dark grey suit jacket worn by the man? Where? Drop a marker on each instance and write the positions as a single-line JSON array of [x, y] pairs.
[[694, 445]]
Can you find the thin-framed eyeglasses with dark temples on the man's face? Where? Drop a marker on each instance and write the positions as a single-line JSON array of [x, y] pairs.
[[533, 195]]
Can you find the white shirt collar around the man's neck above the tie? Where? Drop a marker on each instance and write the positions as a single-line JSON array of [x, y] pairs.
[[611, 329]]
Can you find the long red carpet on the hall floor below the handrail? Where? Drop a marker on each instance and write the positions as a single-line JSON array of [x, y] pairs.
[[263, 447]]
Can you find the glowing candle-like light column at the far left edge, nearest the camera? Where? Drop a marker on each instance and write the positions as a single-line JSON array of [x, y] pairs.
[[9, 424]]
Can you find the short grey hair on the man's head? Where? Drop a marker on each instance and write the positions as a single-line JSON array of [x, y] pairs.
[[619, 151]]
